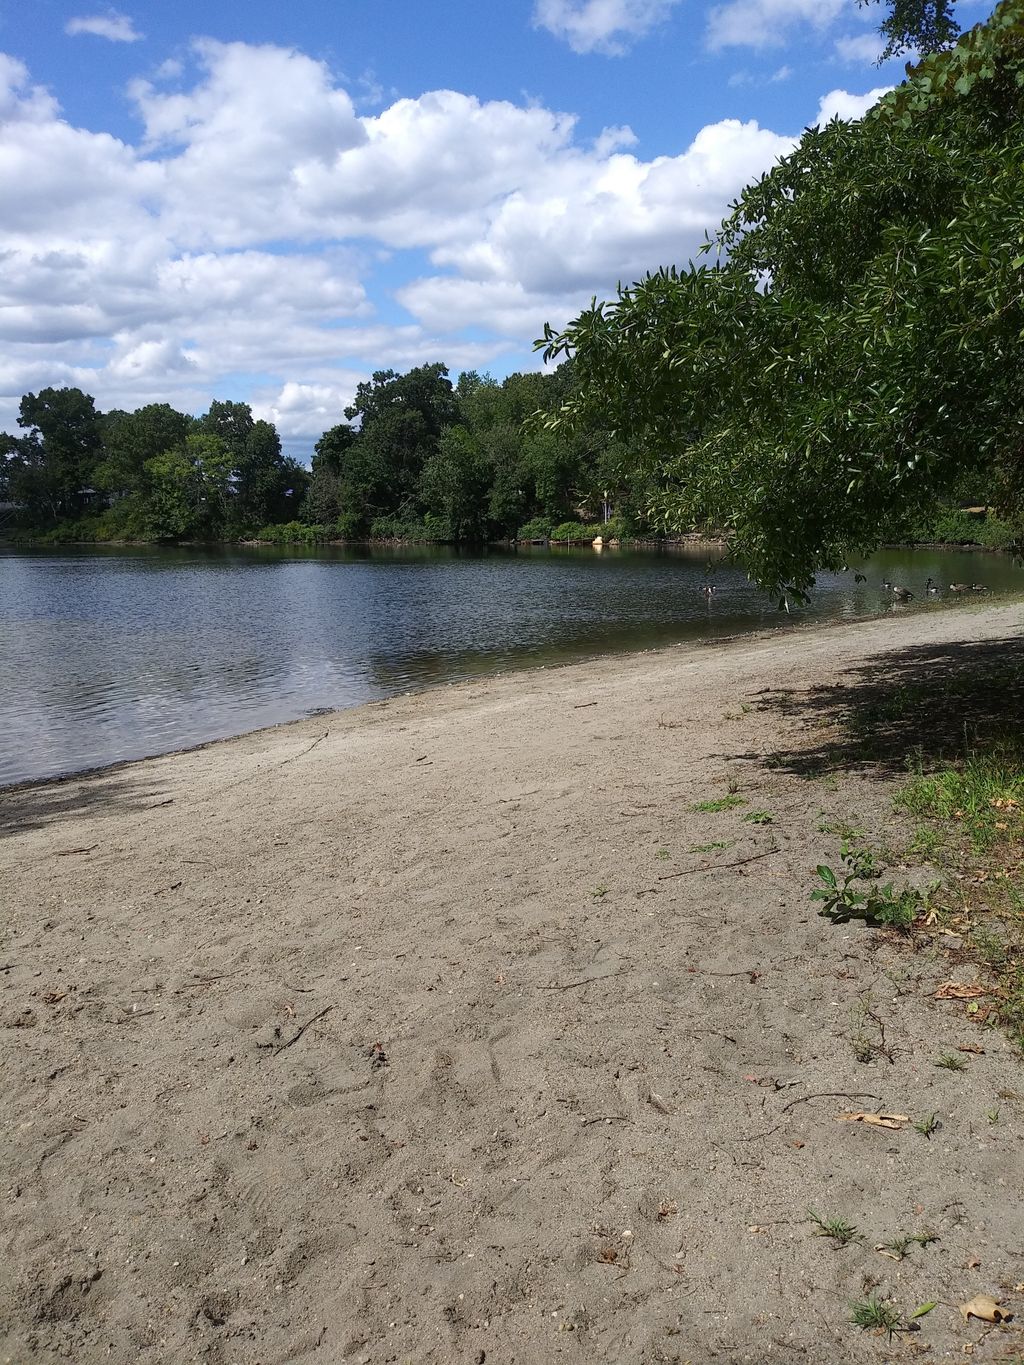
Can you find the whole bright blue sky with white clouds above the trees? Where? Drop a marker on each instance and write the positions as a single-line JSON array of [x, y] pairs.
[[268, 201]]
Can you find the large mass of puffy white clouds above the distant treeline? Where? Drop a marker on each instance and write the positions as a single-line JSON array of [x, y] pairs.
[[246, 241]]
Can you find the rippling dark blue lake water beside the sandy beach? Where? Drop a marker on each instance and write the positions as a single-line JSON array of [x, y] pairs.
[[118, 655]]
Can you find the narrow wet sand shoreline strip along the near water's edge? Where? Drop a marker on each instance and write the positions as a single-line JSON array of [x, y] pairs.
[[967, 604]]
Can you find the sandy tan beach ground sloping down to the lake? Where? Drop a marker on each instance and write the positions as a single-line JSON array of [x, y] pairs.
[[440, 1031]]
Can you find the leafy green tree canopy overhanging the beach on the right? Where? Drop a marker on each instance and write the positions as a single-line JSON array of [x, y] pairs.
[[851, 353]]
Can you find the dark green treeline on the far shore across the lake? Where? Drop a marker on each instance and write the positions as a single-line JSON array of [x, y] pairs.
[[417, 458]]
